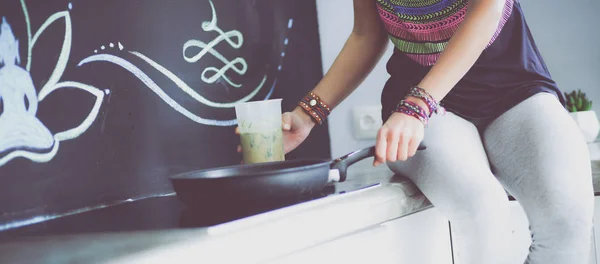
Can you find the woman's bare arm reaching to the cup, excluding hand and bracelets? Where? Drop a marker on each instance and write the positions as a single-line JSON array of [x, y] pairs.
[[363, 49]]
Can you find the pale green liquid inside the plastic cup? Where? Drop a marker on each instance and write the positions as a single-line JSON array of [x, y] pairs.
[[262, 146]]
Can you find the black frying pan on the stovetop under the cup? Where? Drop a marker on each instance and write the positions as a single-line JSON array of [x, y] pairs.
[[264, 181]]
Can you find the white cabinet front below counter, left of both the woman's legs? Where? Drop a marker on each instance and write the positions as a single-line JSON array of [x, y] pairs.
[[422, 238]]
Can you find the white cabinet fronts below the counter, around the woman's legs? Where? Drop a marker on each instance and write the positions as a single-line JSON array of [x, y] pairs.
[[422, 238]]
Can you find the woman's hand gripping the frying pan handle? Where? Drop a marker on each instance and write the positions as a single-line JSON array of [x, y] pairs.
[[398, 138]]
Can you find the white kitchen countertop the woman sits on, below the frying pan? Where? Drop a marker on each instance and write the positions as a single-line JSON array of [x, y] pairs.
[[368, 198]]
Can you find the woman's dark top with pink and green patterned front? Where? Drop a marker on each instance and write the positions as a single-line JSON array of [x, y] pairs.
[[509, 70]]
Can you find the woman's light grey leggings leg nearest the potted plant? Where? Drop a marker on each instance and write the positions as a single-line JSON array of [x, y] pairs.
[[537, 152]]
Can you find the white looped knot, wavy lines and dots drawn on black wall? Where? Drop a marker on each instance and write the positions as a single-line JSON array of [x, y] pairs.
[[209, 75]]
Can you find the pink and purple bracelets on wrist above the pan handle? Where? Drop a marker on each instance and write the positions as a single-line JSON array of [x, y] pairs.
[[414, 110]]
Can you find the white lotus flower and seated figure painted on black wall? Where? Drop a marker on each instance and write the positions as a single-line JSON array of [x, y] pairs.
[[21, 132]]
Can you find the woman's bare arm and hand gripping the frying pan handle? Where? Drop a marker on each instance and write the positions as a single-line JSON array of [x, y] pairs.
[[401, 134]]
